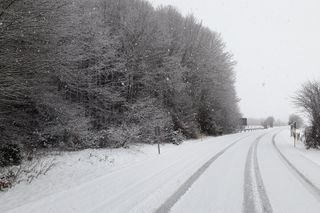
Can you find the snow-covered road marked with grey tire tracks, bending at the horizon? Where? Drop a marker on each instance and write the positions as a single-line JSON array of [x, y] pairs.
[[256, 171]]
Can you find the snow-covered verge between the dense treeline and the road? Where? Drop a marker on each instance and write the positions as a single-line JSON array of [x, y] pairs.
[[76, 168]]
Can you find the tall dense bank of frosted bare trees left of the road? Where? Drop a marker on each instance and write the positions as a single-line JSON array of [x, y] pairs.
[[98, 73]]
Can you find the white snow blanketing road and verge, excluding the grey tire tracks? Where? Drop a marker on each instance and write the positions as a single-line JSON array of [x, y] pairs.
[[140, 180]]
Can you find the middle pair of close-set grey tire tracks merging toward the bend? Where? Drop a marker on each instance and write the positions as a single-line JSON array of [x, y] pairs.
[[252, 166]]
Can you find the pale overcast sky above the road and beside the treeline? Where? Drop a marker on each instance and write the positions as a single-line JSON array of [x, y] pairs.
[[275, 42]]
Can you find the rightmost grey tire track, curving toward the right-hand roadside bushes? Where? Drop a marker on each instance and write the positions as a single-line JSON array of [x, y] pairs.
[[303, 179]]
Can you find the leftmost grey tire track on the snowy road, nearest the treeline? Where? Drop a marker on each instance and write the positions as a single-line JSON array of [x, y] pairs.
[[169, 203]]
